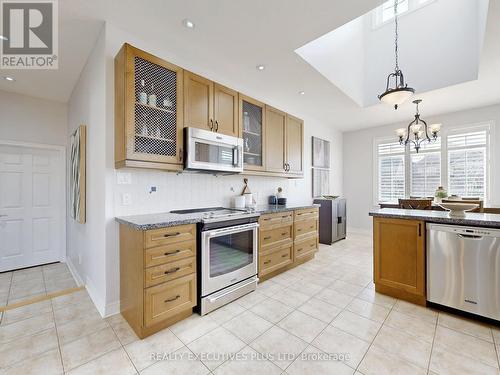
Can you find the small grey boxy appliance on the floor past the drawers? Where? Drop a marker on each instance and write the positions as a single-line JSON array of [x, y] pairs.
[[332, 220]]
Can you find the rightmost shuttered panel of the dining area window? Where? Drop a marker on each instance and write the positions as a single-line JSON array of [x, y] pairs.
[[467, 164]]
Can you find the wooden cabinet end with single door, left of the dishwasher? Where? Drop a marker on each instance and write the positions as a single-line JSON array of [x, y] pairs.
[[399, 258]]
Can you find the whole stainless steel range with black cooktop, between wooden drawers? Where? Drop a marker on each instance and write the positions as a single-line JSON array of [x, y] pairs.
[[227, 255]]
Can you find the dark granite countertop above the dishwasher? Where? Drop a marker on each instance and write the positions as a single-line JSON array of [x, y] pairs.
[[442, 217]]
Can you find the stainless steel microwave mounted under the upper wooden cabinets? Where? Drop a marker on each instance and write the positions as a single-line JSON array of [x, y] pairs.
[[210, 151]]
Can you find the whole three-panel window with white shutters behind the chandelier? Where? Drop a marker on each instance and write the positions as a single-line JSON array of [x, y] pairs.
[[459, 161]]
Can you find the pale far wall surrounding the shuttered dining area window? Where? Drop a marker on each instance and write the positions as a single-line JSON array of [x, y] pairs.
[[358, 160]]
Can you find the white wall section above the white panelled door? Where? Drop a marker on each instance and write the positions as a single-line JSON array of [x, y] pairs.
[[33, 120]]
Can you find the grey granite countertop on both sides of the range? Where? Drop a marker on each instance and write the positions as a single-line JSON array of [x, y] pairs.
[[167, 219]]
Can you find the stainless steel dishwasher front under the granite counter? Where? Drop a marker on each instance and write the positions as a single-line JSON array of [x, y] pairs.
[[463, 268]]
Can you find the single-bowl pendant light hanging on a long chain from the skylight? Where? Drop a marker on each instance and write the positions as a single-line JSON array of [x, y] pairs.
[[400, 93]]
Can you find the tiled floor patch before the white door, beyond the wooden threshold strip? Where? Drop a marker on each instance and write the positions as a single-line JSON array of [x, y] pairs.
[[31, 282]]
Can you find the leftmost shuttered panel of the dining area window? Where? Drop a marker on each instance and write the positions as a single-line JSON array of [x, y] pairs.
[[391, 167]]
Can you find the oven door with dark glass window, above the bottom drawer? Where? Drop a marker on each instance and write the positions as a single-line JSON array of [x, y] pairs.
[[228, 255]]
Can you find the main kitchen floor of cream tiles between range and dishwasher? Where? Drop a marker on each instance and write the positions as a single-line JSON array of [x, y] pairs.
[[326, 306]]
